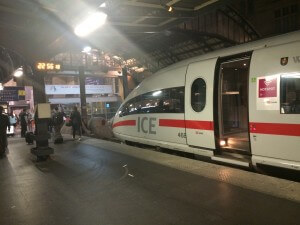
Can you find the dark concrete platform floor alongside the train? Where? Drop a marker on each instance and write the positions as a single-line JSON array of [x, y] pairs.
[[103, 183]]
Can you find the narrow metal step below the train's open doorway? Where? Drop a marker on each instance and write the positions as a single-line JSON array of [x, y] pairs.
[[232, 159]]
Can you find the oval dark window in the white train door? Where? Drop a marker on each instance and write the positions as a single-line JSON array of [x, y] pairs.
[[198, 95]]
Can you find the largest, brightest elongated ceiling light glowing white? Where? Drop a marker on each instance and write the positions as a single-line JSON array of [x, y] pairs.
[[90, 24]]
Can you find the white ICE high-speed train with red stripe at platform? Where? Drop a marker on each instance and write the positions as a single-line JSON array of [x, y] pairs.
[[239, 105]]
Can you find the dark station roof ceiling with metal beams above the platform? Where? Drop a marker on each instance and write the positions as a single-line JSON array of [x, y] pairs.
[[142, 29]]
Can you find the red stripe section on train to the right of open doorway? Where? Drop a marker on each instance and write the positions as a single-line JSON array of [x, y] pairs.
[[275, 129]]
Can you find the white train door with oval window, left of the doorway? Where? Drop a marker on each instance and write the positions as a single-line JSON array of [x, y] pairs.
[[199, 104]]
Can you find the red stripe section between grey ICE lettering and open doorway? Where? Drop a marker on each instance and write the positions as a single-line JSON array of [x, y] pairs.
[[190, 124]]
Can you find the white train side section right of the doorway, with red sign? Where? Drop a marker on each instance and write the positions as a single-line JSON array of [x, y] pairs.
[[275, 80]]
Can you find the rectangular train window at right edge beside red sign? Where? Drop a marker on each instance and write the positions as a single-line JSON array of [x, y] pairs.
[[290, 94]]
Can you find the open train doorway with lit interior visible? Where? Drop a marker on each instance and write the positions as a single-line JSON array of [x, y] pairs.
[[232, 105]]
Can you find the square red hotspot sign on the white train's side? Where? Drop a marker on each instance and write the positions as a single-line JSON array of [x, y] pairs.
[[267, 88]]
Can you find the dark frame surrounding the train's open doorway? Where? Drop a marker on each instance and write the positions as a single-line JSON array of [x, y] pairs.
[[216, 96]]
